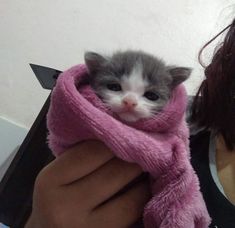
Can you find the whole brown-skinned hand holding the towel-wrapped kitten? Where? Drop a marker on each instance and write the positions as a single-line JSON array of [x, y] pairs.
[[75, 189]]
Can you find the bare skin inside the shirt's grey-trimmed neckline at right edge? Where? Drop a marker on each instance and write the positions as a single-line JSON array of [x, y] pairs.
[[225, 162]]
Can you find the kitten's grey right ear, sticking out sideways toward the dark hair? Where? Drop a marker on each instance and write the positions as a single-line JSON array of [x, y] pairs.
[[179, 74]]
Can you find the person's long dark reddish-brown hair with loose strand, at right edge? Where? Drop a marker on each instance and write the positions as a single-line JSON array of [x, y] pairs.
[[214, 103]]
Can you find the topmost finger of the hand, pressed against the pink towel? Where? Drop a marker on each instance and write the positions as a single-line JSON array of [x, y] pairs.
[[77, 162]]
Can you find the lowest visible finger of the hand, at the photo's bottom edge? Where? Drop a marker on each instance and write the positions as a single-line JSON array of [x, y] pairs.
[[126, 209]]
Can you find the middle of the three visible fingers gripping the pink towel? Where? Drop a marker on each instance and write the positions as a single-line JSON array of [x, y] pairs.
[[102, 184]]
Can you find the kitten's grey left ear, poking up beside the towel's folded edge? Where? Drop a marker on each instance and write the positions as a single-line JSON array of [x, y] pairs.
[[94, 61]]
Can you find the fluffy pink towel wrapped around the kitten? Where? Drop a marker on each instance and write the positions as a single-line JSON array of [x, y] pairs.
[[159, 145]]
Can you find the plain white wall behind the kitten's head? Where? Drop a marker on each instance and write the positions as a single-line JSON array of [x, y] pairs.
[[56, 34]]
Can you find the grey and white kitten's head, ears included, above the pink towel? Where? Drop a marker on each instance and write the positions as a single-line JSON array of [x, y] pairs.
[[133, 84]]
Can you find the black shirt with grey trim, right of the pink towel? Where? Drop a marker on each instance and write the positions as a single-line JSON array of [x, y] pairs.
[[220, 209]]
